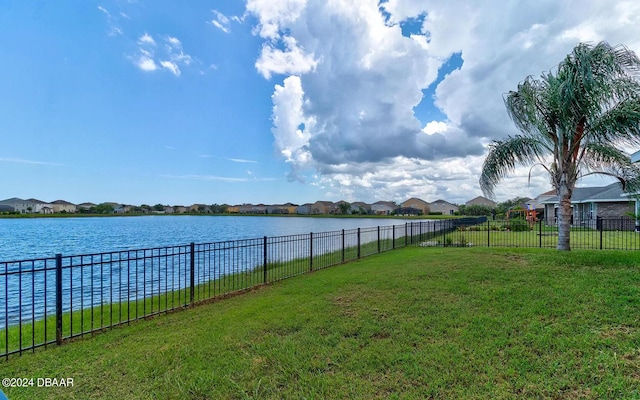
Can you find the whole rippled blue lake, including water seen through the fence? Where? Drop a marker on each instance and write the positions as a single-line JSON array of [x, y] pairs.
[[127, 273]]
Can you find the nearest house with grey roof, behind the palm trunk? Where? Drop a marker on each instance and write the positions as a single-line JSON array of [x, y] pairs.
[[589, 203]]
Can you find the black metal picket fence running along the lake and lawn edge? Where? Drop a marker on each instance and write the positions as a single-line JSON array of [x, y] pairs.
[[46, 301]]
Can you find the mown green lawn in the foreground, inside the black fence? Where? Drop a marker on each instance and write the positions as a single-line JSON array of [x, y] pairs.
[[420, 322]]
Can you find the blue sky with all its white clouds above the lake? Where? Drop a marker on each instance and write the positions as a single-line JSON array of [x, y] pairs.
[[272, 101]]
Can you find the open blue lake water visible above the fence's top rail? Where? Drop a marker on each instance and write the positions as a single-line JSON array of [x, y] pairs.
[[30, 238]]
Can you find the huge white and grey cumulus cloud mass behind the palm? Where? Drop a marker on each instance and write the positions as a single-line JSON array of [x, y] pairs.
[[350, 78]]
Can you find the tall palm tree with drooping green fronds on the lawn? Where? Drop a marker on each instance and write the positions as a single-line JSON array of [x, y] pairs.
[[574, 123]]
